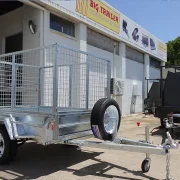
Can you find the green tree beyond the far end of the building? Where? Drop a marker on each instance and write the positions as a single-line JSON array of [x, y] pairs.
[[173, 52]]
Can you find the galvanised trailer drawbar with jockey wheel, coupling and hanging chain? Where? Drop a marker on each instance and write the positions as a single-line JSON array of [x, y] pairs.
[[124, 144]]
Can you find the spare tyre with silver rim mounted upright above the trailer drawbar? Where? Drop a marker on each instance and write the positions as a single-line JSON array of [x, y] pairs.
[[105, 119]]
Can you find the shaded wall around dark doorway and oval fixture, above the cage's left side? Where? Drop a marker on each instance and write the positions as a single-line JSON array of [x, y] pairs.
[[17, 21]]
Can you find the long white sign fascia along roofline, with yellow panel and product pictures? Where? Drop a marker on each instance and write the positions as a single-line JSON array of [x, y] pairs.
[[124, 28]]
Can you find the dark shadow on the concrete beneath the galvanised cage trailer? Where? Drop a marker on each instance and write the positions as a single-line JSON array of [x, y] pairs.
[[33, 161]]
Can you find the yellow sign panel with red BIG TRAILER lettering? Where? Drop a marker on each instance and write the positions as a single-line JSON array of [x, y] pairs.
[[100, 13]]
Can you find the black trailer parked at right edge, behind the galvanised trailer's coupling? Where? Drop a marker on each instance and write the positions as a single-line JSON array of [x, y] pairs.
[[163, 97]]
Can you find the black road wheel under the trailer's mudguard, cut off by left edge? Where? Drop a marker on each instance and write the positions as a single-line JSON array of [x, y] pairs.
[[8, 147]]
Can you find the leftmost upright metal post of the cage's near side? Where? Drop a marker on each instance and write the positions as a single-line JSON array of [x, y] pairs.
[[13, 83]]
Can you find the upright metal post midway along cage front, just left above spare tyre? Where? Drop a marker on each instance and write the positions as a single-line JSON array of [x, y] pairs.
[[87, 81]]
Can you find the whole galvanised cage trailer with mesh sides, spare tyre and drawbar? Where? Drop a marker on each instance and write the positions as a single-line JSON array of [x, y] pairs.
[[57, 94]]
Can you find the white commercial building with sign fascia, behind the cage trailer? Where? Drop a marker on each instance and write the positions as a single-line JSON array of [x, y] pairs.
[[92, 26]]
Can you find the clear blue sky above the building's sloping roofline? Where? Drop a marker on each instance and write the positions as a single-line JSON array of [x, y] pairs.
[[159, 17]]
